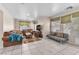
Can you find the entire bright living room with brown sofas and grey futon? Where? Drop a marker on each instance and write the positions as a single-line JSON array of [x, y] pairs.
[[31, 26]]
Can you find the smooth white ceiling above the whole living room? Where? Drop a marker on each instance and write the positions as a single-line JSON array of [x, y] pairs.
[[33, 10]]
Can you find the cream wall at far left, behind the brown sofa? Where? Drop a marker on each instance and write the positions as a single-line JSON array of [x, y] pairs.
[[7, 21]]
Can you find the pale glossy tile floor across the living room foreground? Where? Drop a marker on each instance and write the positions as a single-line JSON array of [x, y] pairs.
[[42, 47]]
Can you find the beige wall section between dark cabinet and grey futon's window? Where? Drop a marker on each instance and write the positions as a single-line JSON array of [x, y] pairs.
[[45, 22]]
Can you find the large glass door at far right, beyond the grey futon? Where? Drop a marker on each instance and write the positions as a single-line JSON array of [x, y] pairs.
[[75, 30]]
